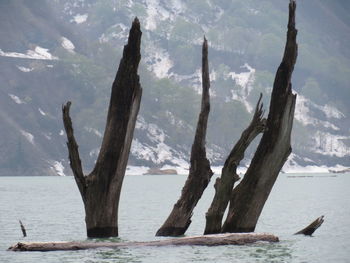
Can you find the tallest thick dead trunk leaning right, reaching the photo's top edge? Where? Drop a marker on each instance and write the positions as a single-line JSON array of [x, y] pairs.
[[249, 197]]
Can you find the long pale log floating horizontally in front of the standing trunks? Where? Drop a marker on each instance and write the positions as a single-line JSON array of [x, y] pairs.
[[207, 240]]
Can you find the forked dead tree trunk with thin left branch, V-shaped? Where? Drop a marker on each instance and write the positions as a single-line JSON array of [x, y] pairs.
[[100, 190]]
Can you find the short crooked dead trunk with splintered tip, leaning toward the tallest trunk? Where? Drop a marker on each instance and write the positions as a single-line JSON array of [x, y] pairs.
[[224, 185]]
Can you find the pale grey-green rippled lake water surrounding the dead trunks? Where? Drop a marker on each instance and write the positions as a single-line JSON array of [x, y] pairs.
[[52, 210]]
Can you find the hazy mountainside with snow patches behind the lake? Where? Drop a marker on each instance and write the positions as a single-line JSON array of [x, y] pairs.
[[55, 51]]
